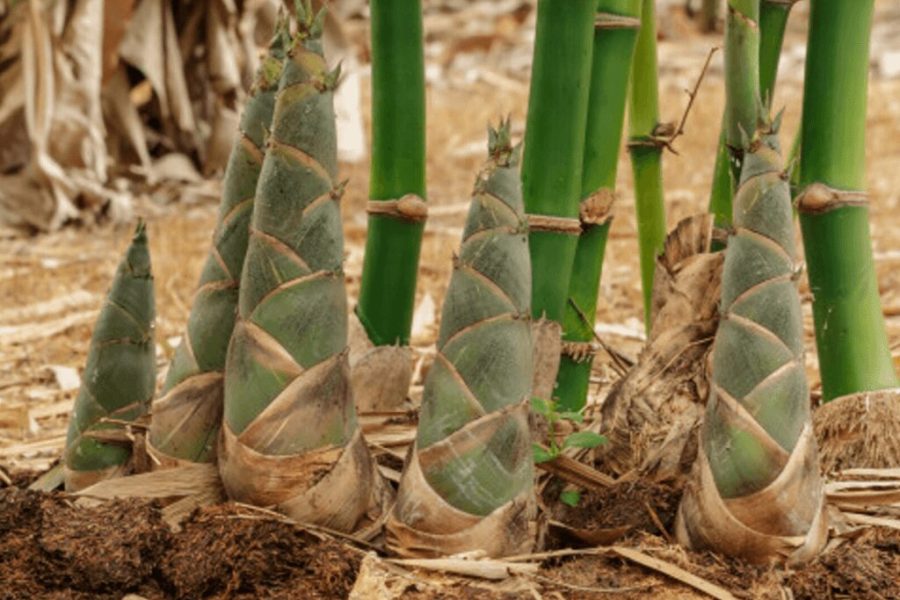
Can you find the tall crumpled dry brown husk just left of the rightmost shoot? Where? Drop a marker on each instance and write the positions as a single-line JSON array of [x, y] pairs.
[[650, 414]]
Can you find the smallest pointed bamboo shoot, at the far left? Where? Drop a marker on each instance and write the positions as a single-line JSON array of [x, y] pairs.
[[120, 374]]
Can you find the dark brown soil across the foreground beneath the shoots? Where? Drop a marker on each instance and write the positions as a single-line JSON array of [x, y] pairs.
[[52, 547]]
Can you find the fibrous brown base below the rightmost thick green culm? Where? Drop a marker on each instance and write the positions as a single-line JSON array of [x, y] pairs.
[[859, 431]]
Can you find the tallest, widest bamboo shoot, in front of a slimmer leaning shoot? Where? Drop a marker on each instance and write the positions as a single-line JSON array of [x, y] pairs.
[[290, 436]]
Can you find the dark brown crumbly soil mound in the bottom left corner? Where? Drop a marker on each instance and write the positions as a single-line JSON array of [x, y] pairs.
[[50, 548]]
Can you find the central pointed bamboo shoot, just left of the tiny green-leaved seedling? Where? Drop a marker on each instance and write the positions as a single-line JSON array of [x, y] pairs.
[[468, 484]]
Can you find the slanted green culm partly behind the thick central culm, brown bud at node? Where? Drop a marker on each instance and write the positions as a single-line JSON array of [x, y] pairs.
[[616, 27]]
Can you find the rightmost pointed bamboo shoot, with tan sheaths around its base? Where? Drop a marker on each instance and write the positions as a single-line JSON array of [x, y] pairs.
[[757, 493]]
